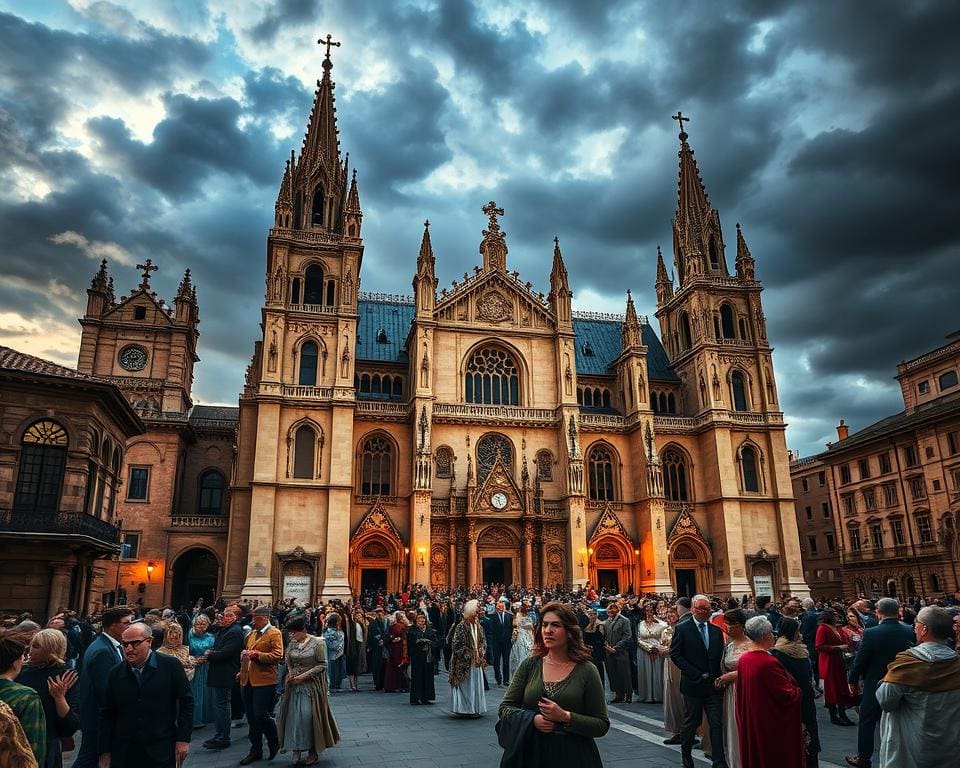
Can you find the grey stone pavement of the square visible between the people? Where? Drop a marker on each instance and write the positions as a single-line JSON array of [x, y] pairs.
[[379, 729]]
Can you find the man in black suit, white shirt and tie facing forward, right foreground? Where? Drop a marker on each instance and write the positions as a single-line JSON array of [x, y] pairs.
[[697, 649]]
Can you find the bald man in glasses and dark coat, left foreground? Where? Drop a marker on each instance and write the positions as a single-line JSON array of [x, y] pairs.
[[147, 715]]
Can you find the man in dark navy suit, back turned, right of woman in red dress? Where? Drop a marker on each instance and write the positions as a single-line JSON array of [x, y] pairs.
[[879, 647]]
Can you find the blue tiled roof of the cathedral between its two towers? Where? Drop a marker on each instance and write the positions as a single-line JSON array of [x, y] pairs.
[[602, 337]]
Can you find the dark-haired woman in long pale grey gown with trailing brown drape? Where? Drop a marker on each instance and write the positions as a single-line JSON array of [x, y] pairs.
[[306, 723]]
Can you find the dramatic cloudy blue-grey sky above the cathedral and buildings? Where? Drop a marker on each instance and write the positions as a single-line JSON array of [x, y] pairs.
[[829, 130]]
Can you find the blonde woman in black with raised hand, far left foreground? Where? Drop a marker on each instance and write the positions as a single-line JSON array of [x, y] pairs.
[[47, 673]]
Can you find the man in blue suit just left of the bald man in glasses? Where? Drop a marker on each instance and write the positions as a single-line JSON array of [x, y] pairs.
[[100, 657]]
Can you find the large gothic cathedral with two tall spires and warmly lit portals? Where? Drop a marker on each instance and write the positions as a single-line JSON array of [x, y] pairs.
[[488, 433]]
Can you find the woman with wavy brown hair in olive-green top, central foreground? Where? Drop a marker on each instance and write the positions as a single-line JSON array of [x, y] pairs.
[[560, 686]]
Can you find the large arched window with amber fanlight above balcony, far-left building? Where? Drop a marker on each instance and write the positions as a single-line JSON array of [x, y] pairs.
[[43, 461]]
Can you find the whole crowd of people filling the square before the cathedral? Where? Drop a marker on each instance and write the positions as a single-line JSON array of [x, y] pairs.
[[738, 679]]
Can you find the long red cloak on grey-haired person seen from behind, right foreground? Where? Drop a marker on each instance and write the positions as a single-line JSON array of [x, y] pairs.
[[768, 713]]
